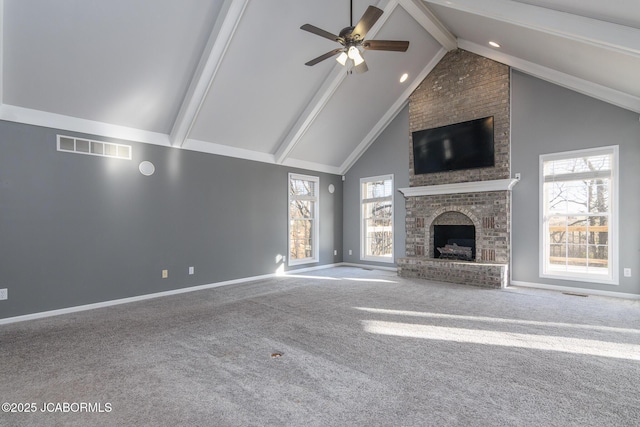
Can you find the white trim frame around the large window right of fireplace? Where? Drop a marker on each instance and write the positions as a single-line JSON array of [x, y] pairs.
[[613, 279]]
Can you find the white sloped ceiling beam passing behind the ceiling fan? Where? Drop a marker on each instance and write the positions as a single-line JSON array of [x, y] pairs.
[[322, 96]]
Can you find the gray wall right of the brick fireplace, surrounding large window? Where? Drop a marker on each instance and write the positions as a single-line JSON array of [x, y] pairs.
[[548, 119]]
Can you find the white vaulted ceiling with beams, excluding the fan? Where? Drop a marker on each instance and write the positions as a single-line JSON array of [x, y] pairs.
[[228, 76]]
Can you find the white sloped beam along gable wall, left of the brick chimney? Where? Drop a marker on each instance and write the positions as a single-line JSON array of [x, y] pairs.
[[391, 113]]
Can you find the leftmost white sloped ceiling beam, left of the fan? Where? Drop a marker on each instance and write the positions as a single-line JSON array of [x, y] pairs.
[[205, 73]]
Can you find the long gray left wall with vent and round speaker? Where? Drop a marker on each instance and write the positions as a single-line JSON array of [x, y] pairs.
[[78, 229]]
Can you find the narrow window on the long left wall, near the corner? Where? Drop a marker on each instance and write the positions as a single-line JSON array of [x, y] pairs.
[[303, 219]]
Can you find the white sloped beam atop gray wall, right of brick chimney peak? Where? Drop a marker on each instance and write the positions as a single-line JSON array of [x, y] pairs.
[[594, 90]]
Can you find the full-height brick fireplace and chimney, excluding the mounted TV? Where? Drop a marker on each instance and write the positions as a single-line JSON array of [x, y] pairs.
[[462, 87]]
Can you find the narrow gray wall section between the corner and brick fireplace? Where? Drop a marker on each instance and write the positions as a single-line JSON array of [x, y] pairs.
[[389, 154]]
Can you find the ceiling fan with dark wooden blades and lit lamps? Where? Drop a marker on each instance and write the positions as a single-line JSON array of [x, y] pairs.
[[353, 41]]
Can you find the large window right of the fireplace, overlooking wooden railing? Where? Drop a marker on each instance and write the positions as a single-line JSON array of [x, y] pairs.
[[578, 209]]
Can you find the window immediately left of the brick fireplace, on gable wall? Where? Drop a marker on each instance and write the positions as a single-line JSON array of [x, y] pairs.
[[376, 214]]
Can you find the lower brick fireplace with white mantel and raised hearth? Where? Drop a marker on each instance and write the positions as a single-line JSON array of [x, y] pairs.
[[482, 205]]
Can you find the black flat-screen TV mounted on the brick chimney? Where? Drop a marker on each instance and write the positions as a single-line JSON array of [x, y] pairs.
[[466, 145]]
